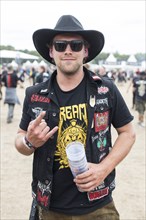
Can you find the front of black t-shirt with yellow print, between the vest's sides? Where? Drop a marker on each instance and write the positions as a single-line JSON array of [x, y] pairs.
[[72, 126]]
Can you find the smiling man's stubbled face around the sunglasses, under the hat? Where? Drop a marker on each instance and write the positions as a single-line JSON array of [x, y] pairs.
[[68, 61]]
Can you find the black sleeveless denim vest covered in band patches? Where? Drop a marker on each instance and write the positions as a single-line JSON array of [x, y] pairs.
[[99, 103]]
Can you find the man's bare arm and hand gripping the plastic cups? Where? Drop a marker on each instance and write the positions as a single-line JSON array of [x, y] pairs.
[[98, 172]]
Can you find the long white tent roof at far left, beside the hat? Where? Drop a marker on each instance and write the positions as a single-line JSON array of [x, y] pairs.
[[16, 55]]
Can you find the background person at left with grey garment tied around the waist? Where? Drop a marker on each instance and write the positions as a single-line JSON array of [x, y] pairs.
[[10, 80]]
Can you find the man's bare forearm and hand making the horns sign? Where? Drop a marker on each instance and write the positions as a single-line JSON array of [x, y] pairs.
[[37, 134]]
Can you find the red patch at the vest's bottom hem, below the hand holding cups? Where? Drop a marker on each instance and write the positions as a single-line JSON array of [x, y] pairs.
[[98, 194]]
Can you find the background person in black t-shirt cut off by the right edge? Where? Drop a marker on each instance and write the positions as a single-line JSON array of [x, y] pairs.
[[140, 97]]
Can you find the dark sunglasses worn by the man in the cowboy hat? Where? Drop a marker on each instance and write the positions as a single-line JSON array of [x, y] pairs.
[[75, 45]]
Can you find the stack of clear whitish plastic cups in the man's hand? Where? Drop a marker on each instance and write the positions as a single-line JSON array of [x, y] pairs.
[[76, 157]]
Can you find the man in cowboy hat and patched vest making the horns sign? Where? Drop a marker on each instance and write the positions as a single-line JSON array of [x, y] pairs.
[[73, 106]]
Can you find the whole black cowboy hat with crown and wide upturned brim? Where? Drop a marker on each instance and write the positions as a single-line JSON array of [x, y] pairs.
[[68, 24]]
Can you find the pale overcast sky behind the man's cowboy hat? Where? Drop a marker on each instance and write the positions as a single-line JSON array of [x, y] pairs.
[[121, 22]]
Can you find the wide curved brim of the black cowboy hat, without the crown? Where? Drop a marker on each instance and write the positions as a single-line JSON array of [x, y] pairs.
[[42, 38]]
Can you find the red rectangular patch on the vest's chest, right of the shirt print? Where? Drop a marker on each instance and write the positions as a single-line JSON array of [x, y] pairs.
[[101, 121]]
